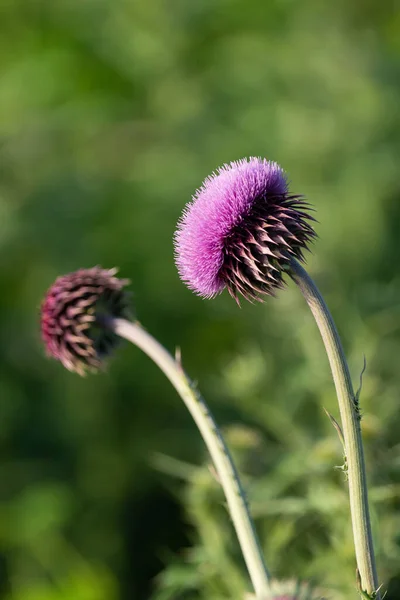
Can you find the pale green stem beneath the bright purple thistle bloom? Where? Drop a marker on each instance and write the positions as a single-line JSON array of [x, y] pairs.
[[350, 416]]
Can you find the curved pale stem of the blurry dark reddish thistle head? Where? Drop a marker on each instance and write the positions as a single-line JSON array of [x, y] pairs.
[[212, 436]]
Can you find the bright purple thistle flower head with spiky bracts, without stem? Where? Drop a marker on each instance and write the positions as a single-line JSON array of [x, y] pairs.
[[241, 230]]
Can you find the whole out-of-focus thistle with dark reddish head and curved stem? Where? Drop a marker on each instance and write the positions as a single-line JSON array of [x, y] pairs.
[[83, 316]]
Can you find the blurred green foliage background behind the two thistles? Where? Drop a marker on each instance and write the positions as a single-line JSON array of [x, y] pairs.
[[111, 114]]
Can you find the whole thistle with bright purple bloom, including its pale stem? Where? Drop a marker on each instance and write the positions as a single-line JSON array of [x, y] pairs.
[[244, 231]]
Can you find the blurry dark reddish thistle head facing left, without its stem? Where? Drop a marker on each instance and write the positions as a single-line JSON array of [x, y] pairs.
[[70, 314]]
